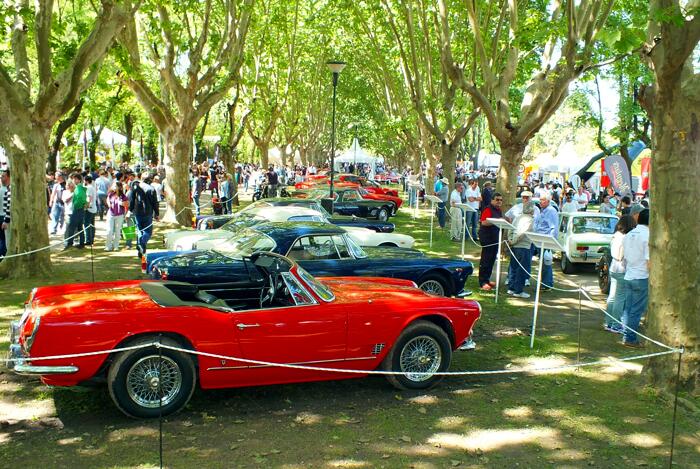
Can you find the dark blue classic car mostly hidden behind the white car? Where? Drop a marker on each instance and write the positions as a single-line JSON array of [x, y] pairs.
[[211, 222]]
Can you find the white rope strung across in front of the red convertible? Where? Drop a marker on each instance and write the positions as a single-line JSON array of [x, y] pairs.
[[609, 361]]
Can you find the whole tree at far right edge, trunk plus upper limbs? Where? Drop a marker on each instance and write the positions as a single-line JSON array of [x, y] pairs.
[[673, 103]]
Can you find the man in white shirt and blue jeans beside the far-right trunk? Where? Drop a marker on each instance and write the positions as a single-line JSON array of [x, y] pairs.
[[636, 255]]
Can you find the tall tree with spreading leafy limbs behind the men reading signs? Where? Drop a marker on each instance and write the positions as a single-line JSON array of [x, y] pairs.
[[509, 50]]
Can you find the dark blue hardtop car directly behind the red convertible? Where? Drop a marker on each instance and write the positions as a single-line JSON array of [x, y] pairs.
[[322, 249]]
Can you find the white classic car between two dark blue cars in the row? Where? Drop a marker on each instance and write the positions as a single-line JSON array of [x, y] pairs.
[[184, 240]]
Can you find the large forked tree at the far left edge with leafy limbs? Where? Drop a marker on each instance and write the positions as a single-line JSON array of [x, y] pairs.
[[43, 80]]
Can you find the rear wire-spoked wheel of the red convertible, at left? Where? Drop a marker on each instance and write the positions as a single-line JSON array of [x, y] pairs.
[[135, 396]]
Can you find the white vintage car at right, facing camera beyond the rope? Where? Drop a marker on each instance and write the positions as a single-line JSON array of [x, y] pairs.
[[582, 234]]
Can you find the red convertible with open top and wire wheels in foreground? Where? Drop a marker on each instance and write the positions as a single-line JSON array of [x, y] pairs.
[[283, 316]]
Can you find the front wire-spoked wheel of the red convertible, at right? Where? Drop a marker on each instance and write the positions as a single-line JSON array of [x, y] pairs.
[[422, 347]]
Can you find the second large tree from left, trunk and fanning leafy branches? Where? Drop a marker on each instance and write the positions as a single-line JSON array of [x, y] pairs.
[[195, 51]]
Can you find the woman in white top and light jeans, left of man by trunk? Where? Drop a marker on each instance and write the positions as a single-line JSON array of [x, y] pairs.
[[616, 272]]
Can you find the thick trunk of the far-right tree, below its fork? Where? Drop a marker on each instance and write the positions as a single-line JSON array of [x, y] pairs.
[[674, 243]]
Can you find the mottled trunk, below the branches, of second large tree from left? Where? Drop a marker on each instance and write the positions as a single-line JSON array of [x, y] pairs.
[[178, 143]]
